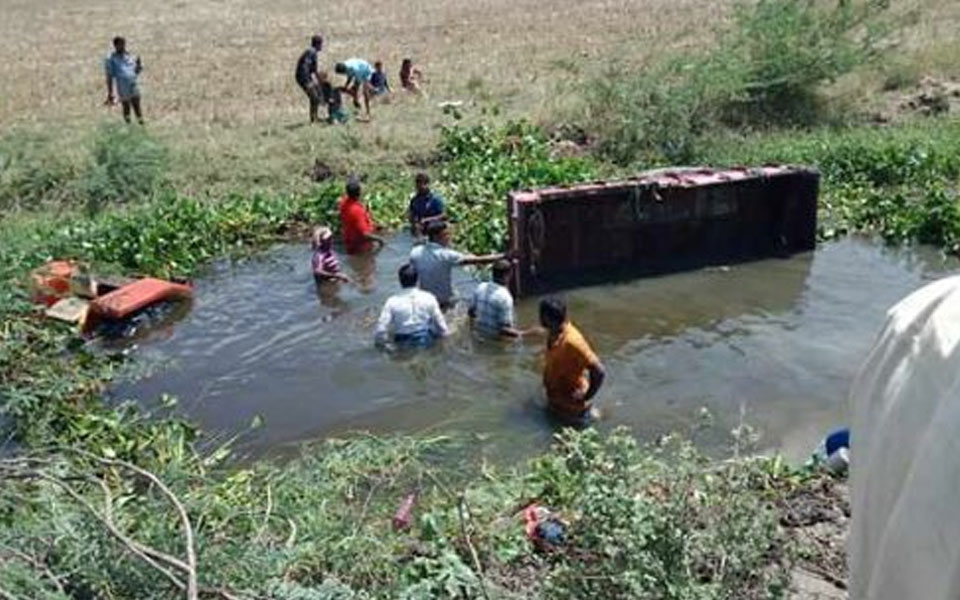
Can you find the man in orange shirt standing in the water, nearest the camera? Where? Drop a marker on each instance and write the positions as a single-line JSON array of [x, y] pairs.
[[572, 373]]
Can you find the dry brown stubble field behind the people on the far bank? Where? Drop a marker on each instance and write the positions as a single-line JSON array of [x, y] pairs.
[[218, 78]]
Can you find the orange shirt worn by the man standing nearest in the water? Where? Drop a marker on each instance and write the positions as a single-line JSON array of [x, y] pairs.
[[567, 360]]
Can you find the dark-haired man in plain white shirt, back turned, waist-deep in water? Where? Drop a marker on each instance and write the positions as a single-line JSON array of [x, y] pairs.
[[412, 318]]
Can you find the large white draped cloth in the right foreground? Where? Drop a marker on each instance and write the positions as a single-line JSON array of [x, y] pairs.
[[905, 536]]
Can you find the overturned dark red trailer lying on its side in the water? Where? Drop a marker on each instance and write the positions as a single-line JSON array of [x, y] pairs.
[[659, 222]]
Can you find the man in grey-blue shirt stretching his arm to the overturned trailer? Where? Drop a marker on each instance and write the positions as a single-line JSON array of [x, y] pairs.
[[434, 262]]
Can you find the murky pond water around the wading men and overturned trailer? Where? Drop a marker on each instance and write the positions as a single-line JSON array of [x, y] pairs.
[[774, 343]]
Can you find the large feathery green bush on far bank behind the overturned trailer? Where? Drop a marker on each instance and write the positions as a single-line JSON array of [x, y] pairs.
[[768, 67]]
